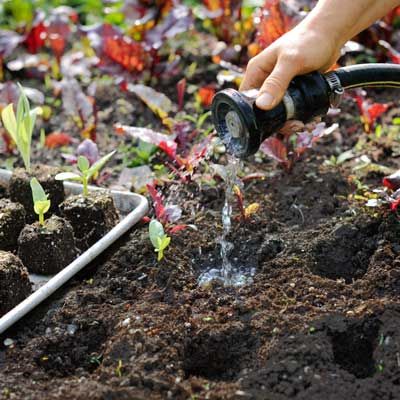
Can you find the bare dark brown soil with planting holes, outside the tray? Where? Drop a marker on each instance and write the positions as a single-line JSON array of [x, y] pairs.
[[320, 320]]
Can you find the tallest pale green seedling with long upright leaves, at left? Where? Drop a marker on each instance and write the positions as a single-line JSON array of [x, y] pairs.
[[20, 126]]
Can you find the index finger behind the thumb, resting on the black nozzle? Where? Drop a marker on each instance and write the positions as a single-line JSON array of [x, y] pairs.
[[258, 69]]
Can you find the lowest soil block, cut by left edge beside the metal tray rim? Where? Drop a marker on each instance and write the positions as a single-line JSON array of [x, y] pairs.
[[14, 282]]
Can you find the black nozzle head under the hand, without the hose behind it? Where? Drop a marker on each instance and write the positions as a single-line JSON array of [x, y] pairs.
[[242, 126]]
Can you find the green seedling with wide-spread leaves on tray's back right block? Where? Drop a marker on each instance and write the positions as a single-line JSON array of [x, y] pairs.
[[86, 172]]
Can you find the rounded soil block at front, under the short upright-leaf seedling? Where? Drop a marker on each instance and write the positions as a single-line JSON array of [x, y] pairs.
[[47, 249]]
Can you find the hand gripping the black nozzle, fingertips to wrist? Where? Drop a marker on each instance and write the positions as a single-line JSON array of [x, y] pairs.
[[299, 51]]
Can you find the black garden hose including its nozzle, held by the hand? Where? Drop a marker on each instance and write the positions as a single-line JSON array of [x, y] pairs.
[[242, 126]]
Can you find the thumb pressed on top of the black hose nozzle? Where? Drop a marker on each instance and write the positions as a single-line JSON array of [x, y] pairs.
[[275, 86]]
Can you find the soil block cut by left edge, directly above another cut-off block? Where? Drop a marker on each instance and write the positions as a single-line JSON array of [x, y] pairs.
[[12, 220]]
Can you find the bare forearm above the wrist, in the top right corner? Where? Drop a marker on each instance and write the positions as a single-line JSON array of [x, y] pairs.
[[343, 19]]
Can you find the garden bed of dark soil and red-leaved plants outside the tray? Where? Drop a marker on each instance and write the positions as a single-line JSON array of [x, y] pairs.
[[321, 317]]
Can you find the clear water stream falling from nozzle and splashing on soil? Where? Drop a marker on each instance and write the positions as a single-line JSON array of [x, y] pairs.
[[229, 274]]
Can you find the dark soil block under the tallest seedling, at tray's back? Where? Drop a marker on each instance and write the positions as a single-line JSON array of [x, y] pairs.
[[20, 189]]
